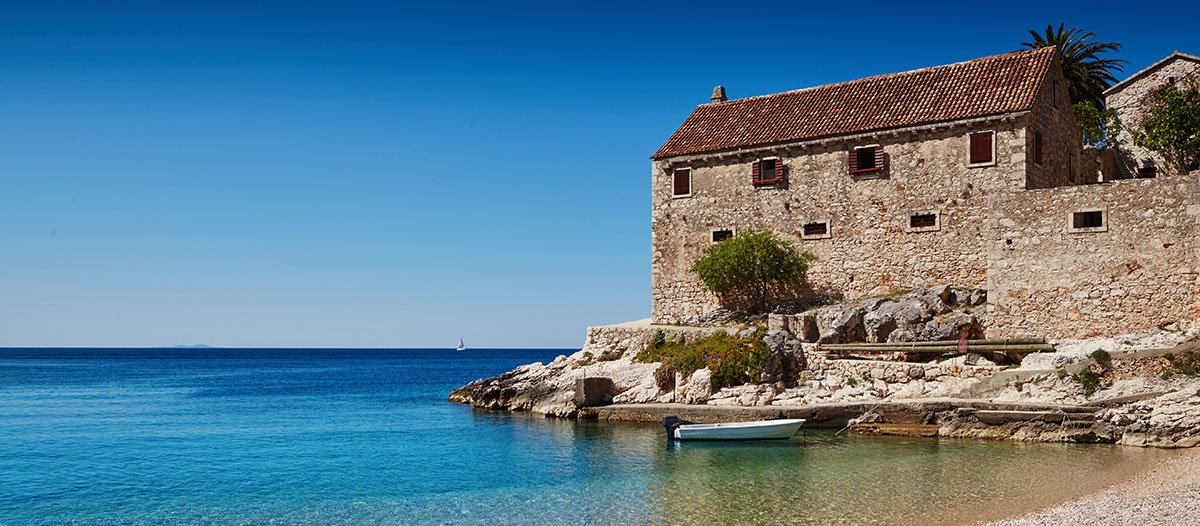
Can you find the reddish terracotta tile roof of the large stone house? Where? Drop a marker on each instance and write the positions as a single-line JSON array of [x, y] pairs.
[[991, 86]]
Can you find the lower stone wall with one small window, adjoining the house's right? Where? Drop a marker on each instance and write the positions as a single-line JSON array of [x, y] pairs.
[[1141, 271]]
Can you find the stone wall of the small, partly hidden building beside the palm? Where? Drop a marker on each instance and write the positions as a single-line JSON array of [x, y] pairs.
[[1127, 103]]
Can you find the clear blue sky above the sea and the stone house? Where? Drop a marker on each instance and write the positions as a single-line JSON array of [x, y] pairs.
[[375, 175]]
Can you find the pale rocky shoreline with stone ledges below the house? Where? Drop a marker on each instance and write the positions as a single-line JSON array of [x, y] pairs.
[[1137, 390]]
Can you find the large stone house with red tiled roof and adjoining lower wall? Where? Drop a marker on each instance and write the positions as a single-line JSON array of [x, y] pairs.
[[964, 175]]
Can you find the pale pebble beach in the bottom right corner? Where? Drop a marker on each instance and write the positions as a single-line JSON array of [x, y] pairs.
[[1168, 495]]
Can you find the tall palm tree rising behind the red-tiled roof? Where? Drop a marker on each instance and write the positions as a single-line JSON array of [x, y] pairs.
[[1088, 74]]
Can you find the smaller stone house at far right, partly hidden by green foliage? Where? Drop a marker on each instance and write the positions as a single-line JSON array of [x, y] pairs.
[[1126, 98]]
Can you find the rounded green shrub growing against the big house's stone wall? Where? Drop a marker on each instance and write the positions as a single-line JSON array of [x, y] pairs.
[[753, 271]]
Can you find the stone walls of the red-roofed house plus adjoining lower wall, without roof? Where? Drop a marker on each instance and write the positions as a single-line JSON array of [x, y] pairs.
[[1023, 226]]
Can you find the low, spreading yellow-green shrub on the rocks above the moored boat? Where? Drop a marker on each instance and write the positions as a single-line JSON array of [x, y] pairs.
[[734, 361]]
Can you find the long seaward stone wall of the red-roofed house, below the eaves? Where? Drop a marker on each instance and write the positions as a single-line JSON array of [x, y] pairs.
[[871, 248]]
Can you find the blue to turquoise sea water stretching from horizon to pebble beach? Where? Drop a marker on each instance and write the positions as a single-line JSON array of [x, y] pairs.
[[352, 437]]
